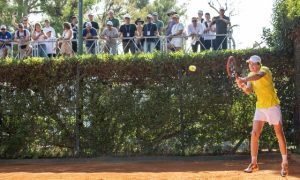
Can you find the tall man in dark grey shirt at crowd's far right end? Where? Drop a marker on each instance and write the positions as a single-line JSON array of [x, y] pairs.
[[221, 22]]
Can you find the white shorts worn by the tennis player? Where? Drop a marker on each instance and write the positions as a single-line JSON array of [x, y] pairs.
[[271, 115]]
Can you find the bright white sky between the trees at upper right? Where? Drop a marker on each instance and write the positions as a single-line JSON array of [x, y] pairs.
[[250, 15]]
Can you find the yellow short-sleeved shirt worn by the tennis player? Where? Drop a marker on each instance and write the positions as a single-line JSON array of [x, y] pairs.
[[264, 89]]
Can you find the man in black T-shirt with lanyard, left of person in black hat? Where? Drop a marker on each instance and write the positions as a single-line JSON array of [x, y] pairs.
[[128, 31]]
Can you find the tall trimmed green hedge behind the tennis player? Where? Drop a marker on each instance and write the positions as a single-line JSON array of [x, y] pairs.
[[133, 105]]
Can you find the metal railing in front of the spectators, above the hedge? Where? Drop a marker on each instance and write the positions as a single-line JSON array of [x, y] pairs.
[[53, 46]]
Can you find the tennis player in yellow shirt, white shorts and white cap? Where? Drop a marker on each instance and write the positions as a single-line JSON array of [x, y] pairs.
[[259, 81]]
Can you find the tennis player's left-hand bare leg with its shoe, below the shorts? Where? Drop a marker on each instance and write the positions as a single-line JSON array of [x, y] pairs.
[[256, 131]]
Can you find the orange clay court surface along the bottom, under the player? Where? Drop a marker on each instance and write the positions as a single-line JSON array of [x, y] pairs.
[[228, 167]]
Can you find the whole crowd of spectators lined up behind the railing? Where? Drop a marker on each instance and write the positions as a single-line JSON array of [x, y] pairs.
[[136, 36]]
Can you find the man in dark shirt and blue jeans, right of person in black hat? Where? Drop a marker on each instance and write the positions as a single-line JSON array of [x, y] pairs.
[[149, 30]]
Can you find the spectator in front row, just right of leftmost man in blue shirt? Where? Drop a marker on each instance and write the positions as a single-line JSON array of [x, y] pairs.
[[22, 38]]
